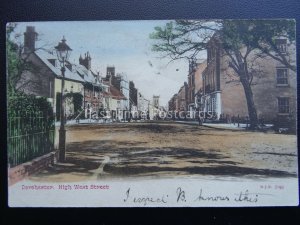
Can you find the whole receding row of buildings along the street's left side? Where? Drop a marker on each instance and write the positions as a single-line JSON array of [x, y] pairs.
[[112, 97]]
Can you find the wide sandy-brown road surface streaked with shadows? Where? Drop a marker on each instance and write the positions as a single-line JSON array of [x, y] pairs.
[[126, 150]]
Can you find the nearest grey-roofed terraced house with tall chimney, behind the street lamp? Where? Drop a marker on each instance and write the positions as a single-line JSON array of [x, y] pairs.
[[44, 79]]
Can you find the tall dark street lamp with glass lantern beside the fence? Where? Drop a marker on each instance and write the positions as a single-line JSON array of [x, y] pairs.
[[63, 52]]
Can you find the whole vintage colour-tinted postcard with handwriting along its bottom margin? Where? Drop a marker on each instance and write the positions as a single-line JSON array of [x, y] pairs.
[[157, 113]]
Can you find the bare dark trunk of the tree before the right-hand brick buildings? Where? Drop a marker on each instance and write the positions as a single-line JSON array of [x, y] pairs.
[[250, 103]]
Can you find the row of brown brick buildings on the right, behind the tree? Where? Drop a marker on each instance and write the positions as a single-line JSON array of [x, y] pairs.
[[213, 86]]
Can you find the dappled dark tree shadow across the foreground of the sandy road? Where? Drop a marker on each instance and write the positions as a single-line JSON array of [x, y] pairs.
[[128, 160]]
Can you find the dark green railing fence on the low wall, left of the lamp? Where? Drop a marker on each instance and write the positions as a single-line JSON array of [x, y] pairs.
[[29, 137]]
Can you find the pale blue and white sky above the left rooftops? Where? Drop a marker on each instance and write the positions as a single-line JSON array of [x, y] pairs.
[[123, 44]]
